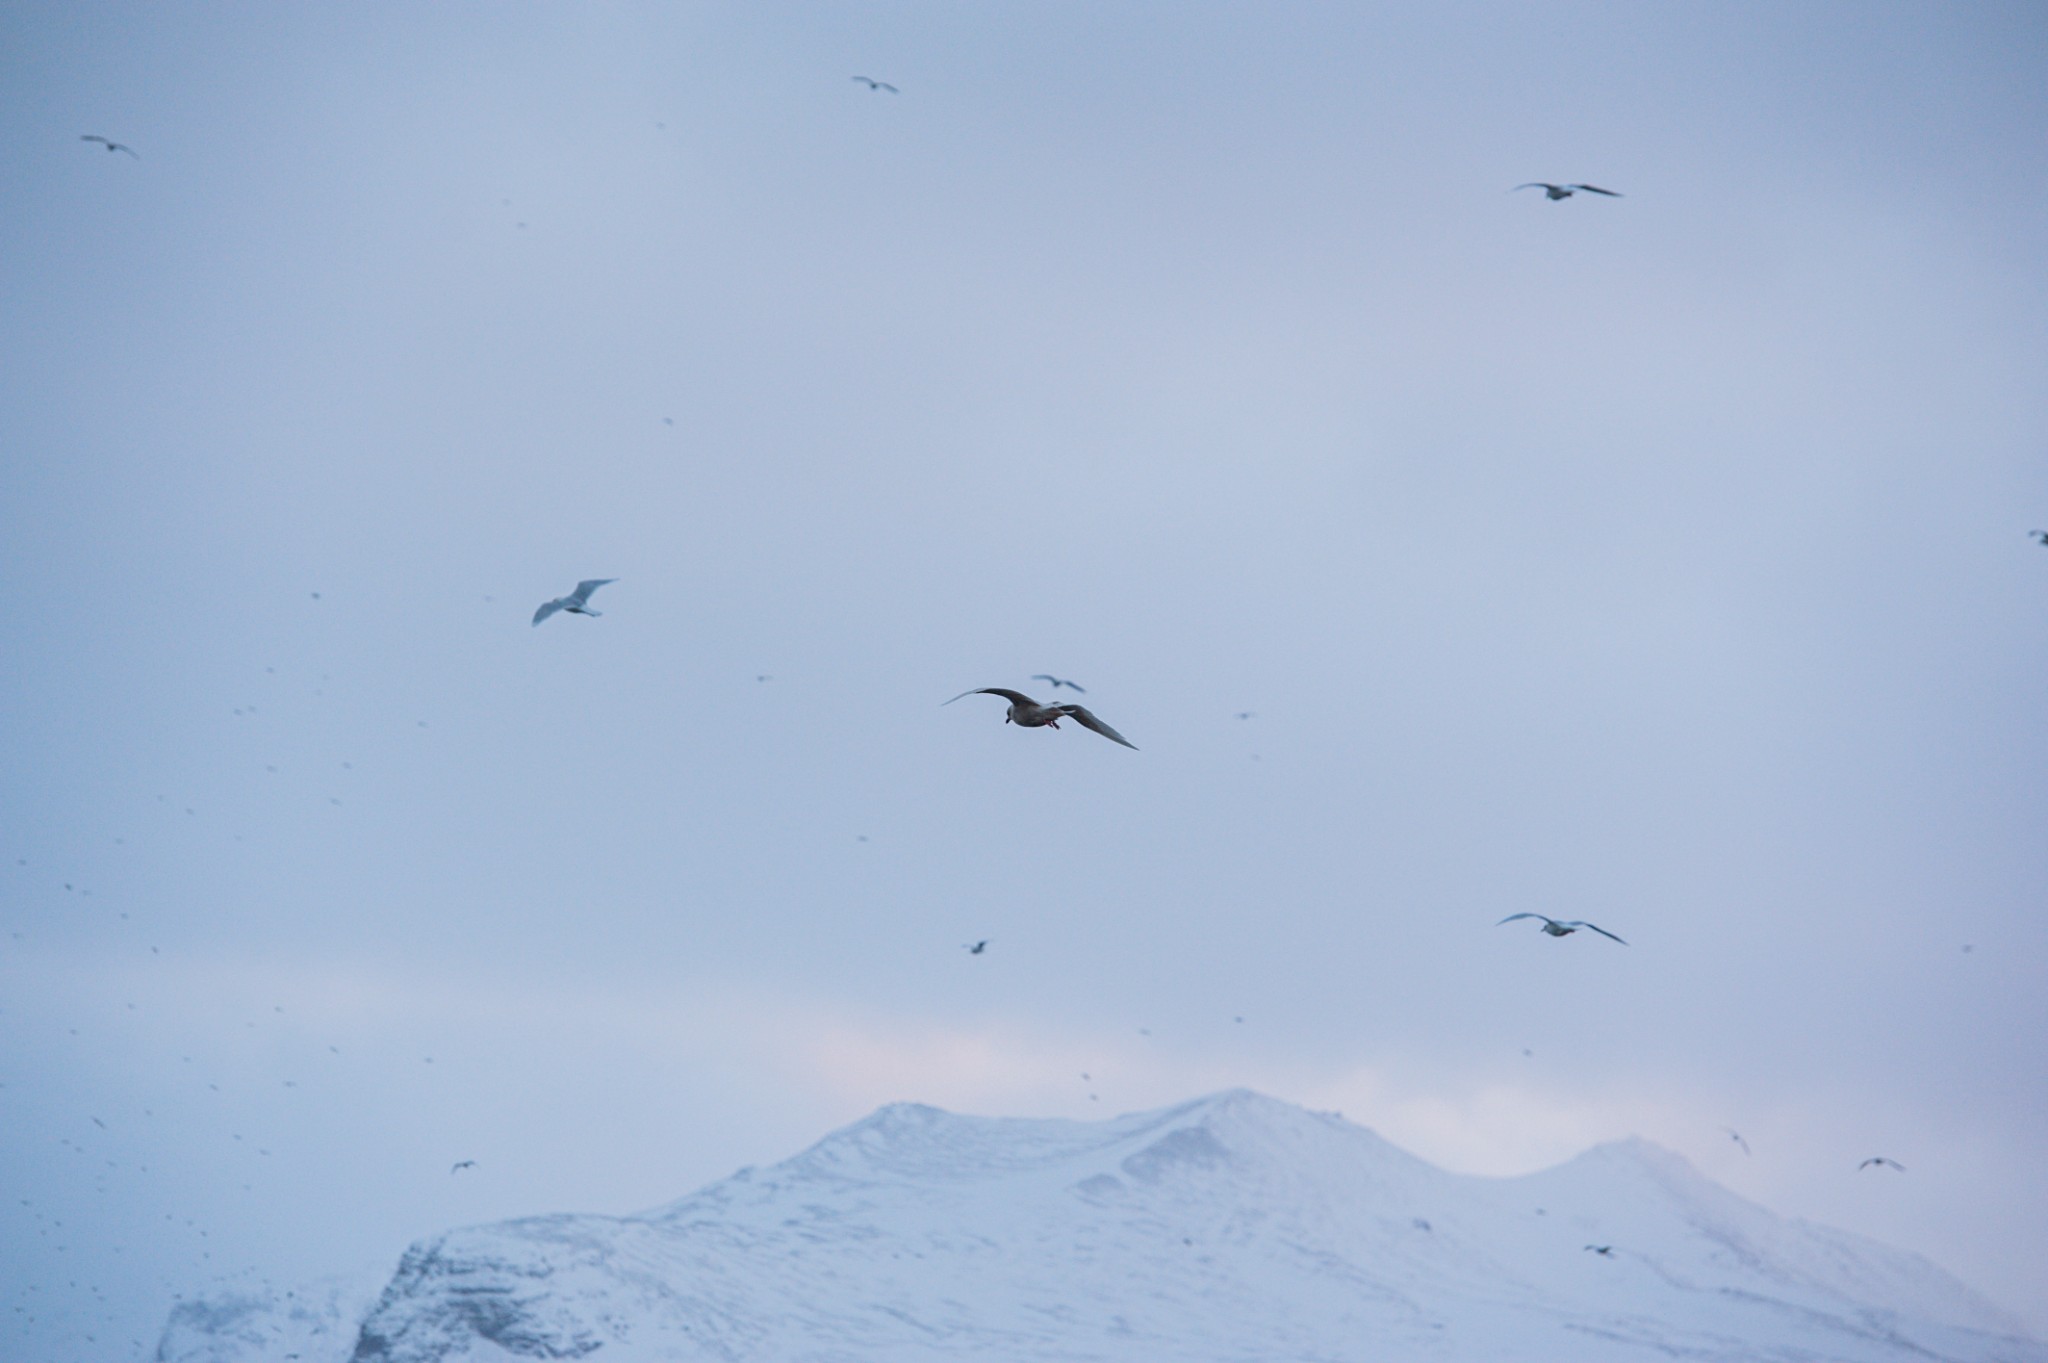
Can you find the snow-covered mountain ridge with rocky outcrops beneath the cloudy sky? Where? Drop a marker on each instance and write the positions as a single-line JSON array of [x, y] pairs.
[[1234, 1227]]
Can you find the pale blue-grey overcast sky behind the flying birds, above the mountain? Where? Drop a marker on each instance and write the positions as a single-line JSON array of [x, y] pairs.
[[1656, 560]]
